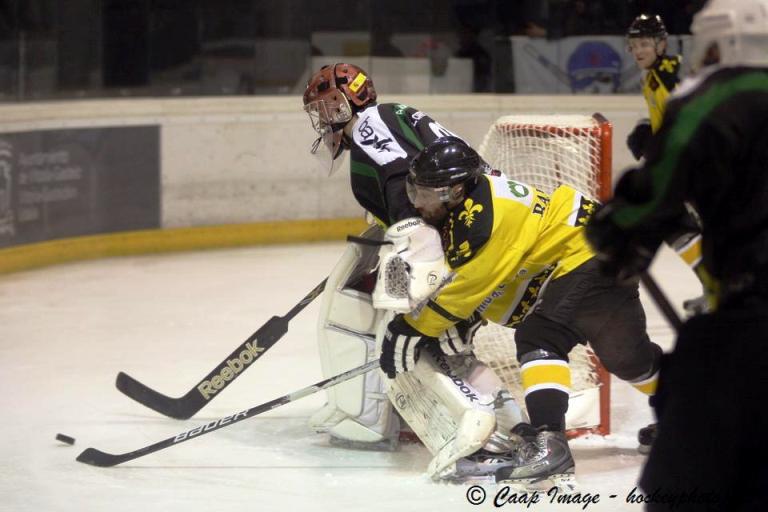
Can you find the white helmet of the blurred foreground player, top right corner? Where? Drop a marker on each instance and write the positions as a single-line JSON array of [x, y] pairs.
[[731, 33]]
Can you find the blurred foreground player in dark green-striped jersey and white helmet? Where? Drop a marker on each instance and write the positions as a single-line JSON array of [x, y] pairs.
[[712, 152]]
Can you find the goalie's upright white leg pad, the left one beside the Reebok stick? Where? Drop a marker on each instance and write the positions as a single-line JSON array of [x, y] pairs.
[[357, 410]]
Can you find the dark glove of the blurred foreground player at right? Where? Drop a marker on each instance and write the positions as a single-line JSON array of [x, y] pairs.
[[621, 255]]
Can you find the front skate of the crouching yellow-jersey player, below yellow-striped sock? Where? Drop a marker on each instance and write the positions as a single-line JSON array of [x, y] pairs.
[[541, 463]]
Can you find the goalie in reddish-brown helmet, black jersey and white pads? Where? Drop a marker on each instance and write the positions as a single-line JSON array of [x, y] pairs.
[[382, 139]]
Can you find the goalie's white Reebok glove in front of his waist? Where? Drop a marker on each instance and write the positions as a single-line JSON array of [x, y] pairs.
[[412, 266]]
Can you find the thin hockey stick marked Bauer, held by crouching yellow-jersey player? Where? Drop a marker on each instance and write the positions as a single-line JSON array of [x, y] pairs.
[[101, 459]]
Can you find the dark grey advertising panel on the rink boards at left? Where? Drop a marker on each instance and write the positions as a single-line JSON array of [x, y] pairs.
[[73, 182]]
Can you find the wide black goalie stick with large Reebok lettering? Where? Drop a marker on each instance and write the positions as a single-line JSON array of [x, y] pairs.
[[220, 377]]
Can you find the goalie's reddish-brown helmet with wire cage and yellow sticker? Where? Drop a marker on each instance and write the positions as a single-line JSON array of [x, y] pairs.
[[334, 94]]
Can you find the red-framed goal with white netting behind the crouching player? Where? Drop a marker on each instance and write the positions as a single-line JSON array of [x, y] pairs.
[[546, 151]]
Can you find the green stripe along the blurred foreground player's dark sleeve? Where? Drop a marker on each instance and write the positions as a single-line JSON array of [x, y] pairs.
[[688, 121]]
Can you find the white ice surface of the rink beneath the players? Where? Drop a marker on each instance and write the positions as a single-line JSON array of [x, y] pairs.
[[66, 331]]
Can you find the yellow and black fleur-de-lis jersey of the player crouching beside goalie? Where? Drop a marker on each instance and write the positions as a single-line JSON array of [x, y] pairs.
[[501, 244]]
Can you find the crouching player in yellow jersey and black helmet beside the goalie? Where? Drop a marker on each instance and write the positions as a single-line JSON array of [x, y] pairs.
[[502, 240]]
